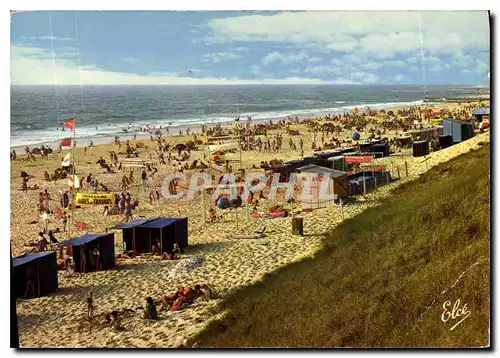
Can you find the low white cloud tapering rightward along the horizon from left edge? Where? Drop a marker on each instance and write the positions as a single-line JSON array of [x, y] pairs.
[[30, 66]]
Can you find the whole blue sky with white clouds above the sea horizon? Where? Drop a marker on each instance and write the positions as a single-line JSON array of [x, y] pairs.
[[249, 47]]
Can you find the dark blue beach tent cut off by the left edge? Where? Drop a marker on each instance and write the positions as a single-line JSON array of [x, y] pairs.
[[44, 266]]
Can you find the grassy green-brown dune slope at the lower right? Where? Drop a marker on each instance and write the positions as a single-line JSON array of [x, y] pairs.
[[380, 278]]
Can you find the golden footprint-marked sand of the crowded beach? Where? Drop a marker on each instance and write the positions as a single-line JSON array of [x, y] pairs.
[[59, 319]]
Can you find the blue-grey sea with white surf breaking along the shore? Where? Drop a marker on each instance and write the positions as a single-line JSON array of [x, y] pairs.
[[103, 112]]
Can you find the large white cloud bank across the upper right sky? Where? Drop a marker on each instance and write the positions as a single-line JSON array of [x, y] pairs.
[[379, 33]]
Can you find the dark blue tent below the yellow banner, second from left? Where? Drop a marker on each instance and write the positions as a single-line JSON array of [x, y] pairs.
[[82, 247]]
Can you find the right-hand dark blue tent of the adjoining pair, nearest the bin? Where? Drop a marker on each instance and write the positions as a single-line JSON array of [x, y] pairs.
[[168, 231]]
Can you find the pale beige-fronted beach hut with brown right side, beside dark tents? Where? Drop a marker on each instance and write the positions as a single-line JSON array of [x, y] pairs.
[[314, 174]]
